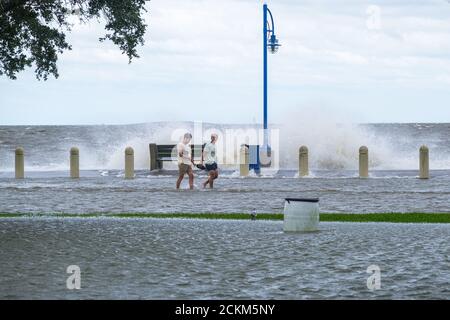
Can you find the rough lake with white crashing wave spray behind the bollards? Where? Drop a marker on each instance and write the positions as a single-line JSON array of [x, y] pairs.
[[333, 145]]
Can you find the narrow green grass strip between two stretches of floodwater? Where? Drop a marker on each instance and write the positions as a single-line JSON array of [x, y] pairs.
[[330, 217]]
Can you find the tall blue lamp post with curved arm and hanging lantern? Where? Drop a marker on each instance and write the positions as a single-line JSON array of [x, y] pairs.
[[270, 44]]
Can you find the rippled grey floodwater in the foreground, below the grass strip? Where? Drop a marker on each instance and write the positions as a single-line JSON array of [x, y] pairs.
[[186, 259]]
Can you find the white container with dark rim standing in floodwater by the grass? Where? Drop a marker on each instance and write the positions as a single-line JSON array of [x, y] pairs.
[[301, 214]]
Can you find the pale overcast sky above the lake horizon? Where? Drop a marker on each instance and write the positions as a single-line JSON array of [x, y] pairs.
[[361, 61]]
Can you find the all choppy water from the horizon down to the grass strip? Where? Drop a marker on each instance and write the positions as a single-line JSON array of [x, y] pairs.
[[393, 186]]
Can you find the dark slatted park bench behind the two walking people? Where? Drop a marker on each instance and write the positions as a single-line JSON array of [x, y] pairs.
[[168, 152]]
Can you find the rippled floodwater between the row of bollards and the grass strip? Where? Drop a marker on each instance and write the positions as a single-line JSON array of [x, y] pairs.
[[107, 191]]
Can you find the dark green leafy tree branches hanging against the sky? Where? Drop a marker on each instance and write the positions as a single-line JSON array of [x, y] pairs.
[[33, 32]]
